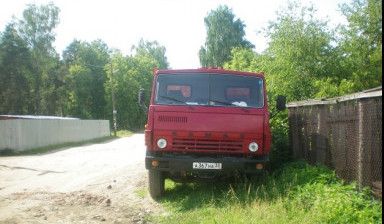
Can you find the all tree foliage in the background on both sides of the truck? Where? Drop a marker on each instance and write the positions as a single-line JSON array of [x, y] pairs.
[[304, 59]]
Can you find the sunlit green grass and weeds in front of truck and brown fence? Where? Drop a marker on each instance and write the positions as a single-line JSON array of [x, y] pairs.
[[296, 193]]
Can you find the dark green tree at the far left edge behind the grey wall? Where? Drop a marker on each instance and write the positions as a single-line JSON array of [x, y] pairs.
[[15, 64]]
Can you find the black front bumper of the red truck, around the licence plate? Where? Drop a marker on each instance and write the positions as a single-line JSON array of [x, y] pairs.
[[229, 165]]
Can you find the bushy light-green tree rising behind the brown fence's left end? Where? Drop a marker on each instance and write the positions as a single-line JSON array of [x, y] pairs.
[[298, 52]]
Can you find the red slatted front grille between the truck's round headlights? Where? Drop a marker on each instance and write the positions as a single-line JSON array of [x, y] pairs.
[[207, 144]]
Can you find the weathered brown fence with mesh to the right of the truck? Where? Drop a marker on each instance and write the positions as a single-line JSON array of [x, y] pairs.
[[344, 133]]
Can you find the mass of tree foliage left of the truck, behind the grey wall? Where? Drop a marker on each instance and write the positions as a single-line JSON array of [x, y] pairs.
[[34, 80]]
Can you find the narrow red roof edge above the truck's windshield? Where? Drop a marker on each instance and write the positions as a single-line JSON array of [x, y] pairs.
[[207, 70]]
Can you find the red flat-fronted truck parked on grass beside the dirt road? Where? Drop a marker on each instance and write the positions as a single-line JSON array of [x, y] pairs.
[[205, 124]]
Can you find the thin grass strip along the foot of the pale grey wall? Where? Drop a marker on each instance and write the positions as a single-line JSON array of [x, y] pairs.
[[46, 149]]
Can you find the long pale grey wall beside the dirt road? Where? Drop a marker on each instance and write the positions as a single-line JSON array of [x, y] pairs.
[[24, 134]]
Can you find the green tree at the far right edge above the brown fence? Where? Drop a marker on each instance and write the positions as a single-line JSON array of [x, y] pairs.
[[362, 43]]
